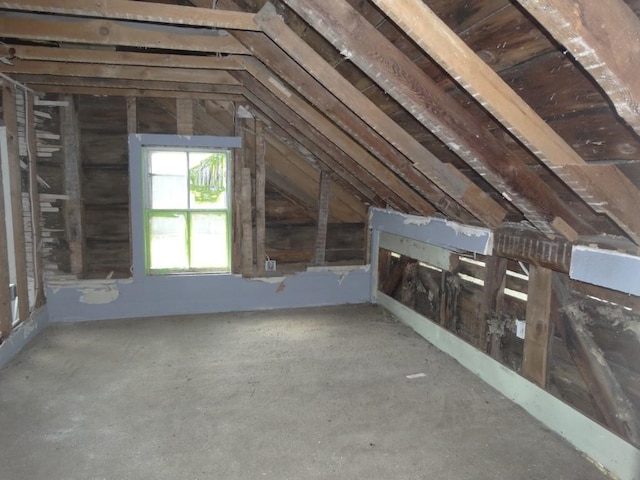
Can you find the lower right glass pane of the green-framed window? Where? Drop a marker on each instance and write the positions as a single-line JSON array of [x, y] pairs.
[[209, 247]]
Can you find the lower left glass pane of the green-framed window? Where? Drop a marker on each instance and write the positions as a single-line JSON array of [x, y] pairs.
[[167, 241]]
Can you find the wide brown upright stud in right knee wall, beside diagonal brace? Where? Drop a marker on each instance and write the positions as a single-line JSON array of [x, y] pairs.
[[538, 330]]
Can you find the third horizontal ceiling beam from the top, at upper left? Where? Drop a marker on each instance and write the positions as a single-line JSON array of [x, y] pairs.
[[112, 57]]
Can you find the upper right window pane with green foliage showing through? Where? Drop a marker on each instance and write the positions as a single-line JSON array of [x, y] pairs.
[[208, 180]]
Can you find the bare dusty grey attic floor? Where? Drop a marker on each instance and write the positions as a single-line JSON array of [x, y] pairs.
[[299, 394]]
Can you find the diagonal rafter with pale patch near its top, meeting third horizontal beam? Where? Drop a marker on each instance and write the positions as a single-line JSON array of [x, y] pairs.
[[338, 137]]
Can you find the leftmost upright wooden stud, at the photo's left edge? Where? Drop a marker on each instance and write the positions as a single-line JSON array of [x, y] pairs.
[[15, 186]]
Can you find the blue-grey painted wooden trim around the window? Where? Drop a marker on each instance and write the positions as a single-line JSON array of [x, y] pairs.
[[137, 144]]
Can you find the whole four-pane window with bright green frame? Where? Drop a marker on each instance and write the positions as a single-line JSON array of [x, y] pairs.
[[187, 210]]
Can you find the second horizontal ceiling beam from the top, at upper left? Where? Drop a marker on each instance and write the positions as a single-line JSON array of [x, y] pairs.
[[107, 32]]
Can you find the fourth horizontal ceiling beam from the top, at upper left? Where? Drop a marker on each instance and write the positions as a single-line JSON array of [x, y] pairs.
[[186, 75]]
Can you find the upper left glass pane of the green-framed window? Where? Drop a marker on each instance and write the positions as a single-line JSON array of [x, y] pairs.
[[169, 189]]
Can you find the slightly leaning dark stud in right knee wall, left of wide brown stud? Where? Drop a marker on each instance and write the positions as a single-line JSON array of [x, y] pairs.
[[492, 301]]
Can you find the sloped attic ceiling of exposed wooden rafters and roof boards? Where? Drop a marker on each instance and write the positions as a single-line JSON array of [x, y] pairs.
[[483, 111]]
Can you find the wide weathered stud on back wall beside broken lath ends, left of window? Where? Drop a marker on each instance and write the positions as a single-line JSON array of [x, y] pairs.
[[70, 130]]
